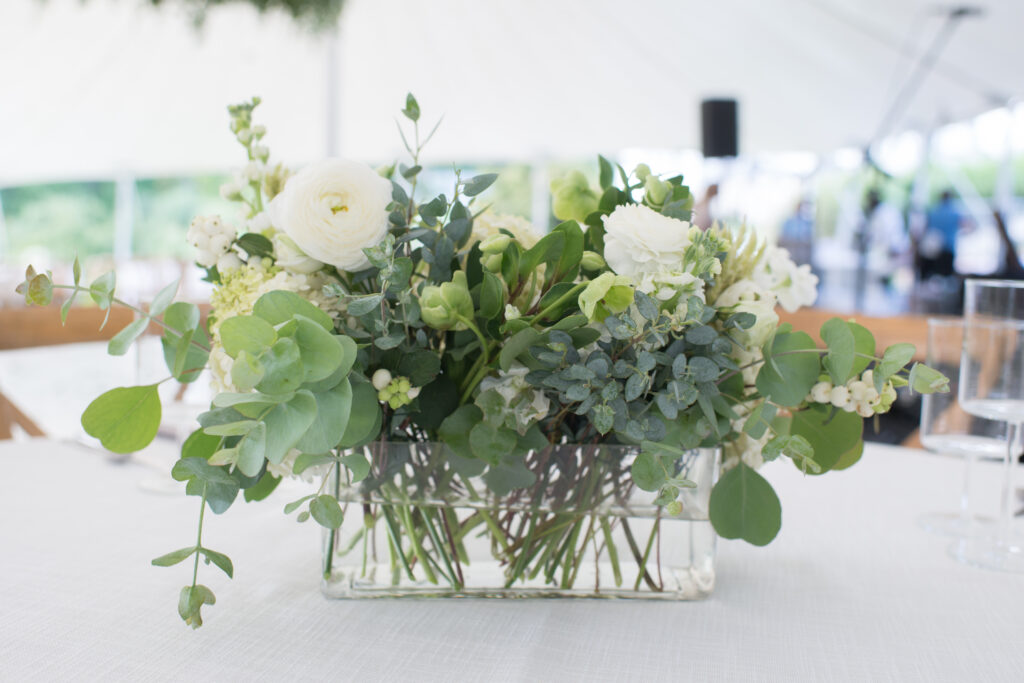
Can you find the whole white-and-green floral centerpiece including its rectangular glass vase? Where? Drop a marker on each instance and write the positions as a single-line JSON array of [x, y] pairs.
[[450, 379]]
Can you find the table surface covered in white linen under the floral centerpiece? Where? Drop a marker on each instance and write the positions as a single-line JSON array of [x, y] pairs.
[[851, 590]]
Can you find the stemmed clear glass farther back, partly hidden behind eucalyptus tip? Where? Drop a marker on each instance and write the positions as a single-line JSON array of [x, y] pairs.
[[948, 431]]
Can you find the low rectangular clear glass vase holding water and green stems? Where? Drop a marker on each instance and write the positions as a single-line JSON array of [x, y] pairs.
[[429, 524]]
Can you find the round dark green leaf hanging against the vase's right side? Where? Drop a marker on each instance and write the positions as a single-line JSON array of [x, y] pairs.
[[745, 506]]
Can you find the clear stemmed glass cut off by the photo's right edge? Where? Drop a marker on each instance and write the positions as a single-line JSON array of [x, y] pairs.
[[992, 387]]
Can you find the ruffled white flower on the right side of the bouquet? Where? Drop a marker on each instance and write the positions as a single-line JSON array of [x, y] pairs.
[[638, 241]]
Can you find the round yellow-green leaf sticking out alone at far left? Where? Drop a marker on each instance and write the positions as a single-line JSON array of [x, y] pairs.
[[125, 419]]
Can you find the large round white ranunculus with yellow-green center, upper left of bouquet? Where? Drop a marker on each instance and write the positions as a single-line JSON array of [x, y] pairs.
[[333, 210]]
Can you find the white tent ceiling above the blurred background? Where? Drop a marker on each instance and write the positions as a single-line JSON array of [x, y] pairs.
[[111, 87]]
